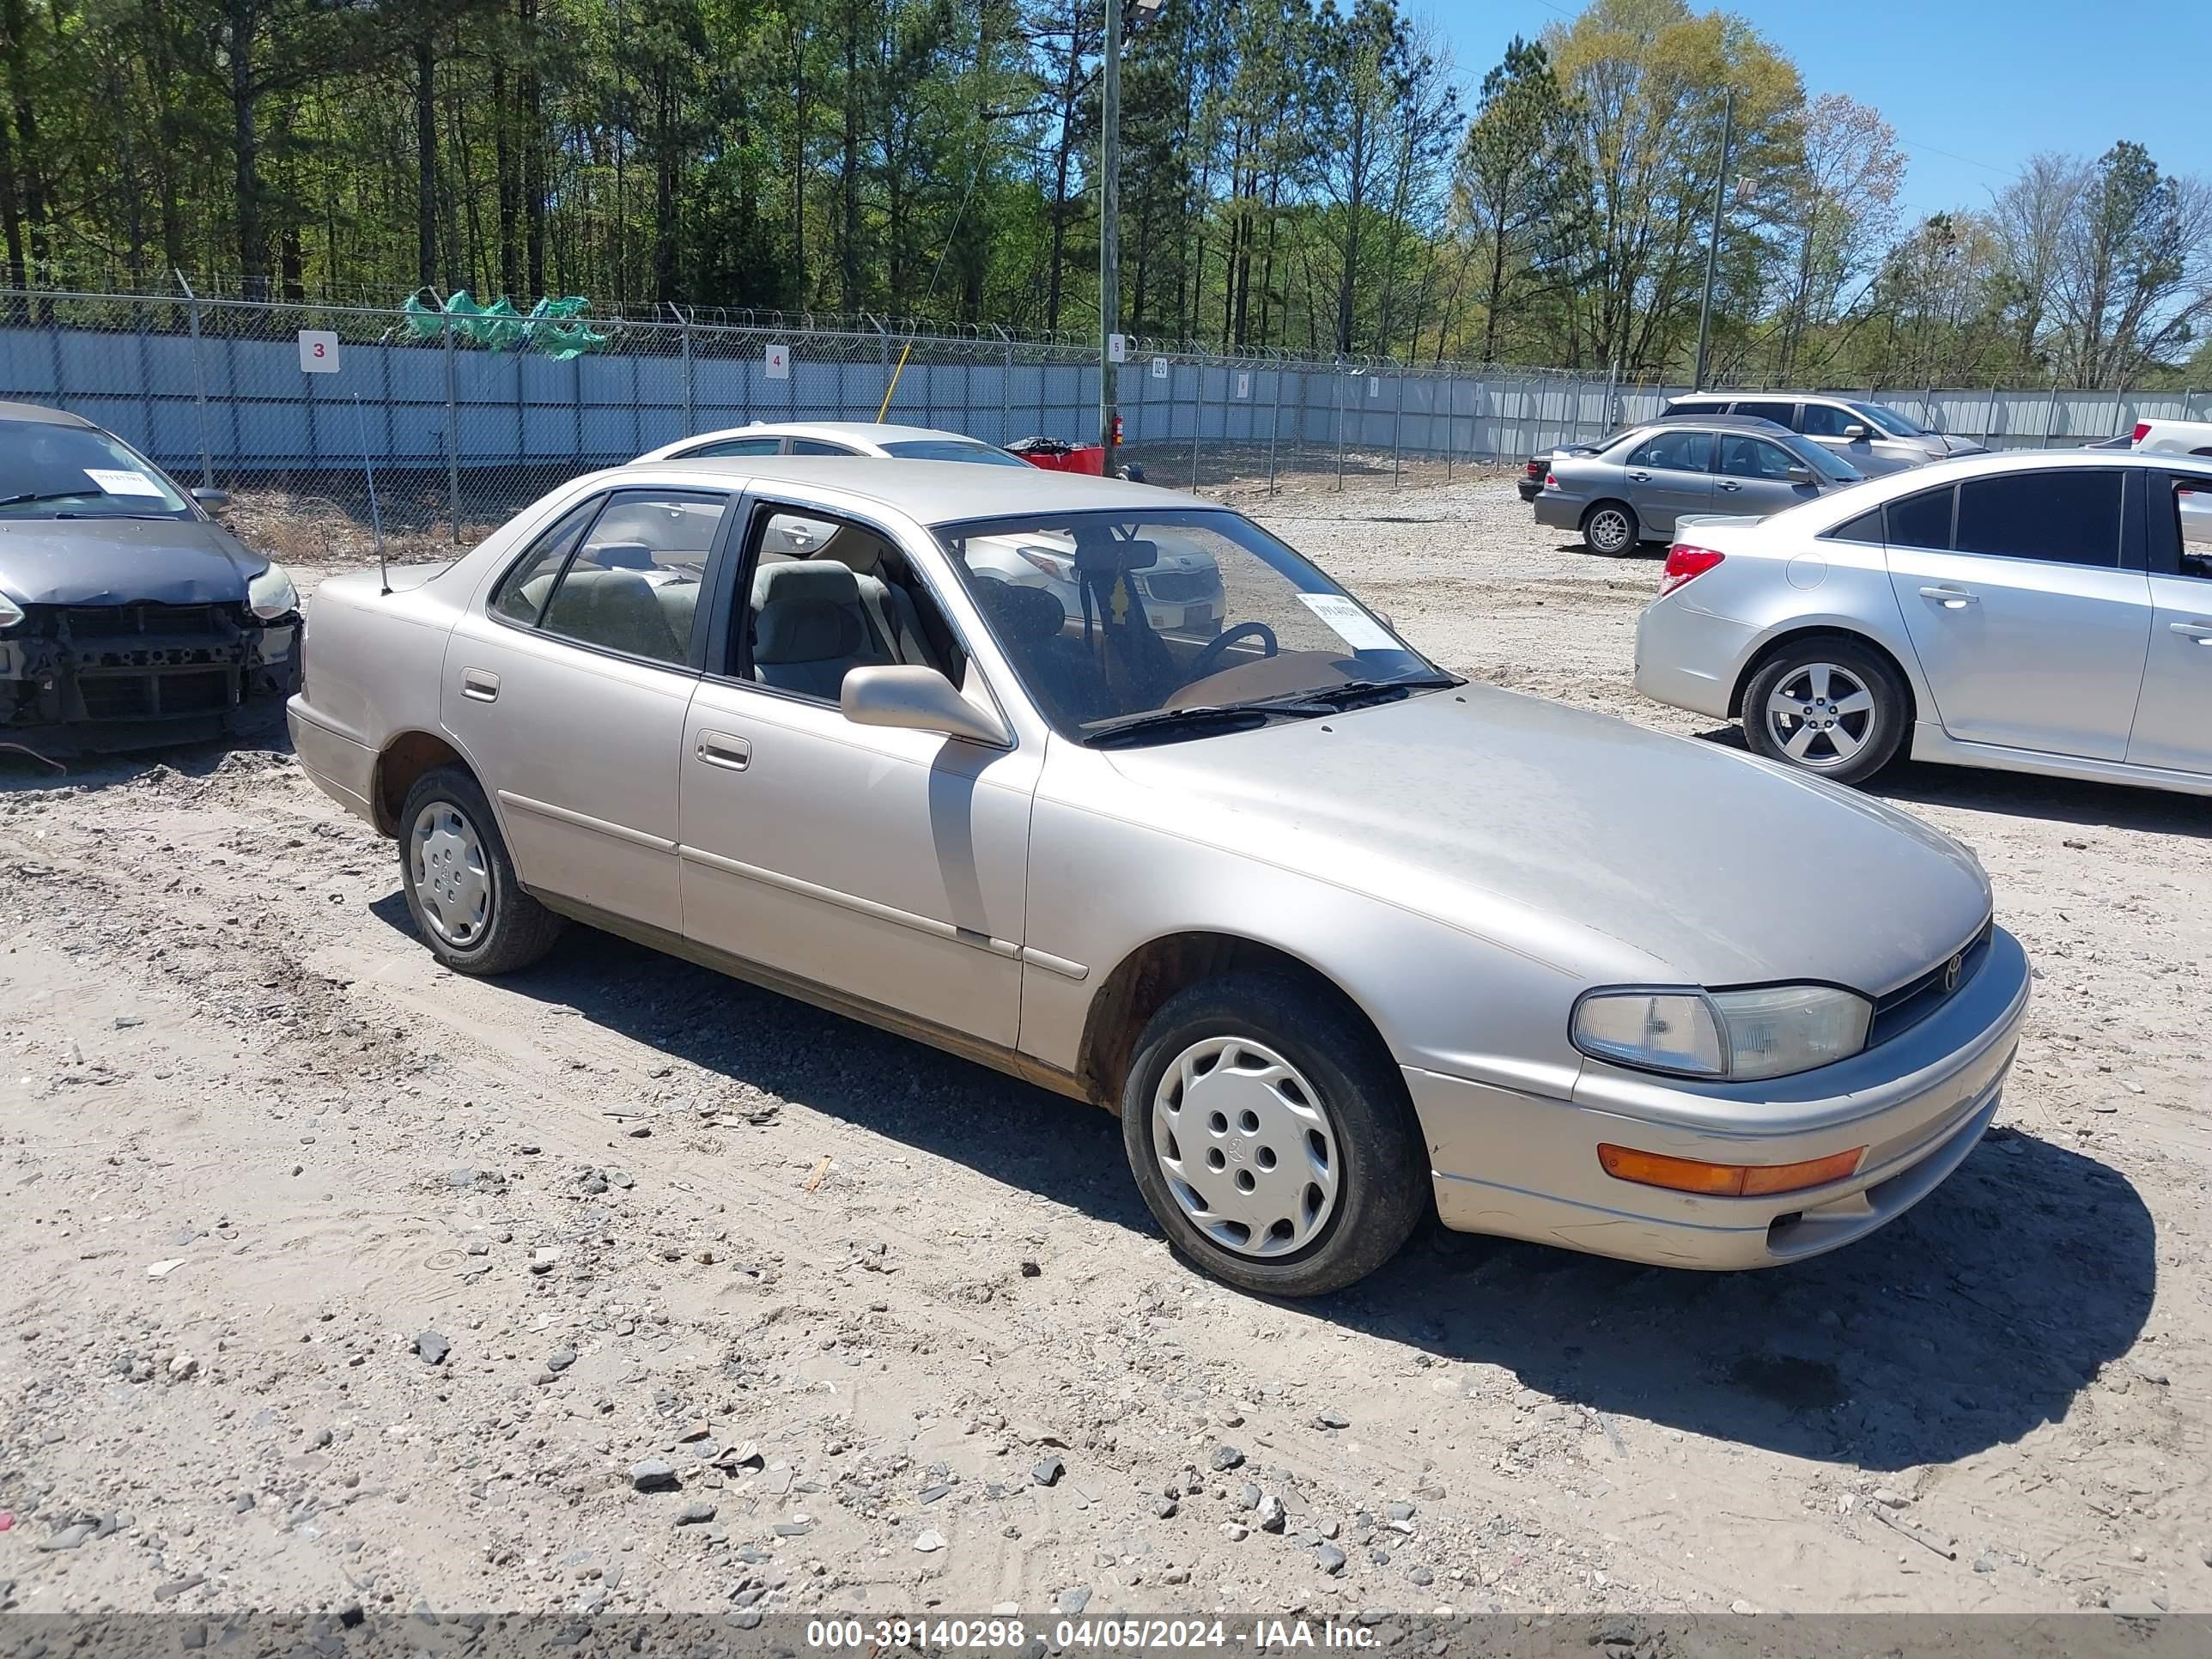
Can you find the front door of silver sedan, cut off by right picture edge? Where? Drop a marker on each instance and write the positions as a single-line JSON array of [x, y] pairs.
[[2173, 722]]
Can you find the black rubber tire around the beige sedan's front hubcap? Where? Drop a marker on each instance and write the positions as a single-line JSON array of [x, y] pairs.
[[1384, 1167]]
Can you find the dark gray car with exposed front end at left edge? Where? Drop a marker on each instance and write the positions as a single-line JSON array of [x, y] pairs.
[[127, 616]]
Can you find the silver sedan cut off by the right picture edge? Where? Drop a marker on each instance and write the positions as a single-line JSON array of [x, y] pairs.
[[2030, 612]]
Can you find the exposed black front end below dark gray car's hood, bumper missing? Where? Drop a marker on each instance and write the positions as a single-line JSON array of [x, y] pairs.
[[109, 678]]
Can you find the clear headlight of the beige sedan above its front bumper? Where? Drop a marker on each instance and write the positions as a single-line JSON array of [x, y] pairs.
[[1740, 1036]]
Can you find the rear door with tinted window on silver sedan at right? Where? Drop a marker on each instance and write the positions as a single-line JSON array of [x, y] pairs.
[[2027, 605]]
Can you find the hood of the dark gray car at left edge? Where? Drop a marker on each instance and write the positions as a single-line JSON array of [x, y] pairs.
[[123, 561]]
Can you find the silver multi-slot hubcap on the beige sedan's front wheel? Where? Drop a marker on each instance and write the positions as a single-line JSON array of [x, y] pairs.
[[1246, 1149]]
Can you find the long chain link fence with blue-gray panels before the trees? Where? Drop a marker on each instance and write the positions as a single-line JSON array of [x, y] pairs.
[[300, 410]]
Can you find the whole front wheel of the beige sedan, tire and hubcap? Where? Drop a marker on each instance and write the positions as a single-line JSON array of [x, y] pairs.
[[1273, 1138]]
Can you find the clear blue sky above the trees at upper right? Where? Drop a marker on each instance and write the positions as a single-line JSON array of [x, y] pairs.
[[1974, 87]]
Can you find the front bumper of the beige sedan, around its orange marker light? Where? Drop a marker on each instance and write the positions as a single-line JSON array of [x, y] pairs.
[[1527, 1169]]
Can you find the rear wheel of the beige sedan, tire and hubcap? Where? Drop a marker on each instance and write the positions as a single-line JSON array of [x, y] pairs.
[[461, 886]]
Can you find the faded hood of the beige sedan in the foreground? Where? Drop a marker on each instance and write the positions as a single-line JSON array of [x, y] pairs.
[[1580, 839]]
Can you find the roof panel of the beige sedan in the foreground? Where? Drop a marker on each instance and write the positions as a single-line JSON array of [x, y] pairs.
[[924, 490]]
